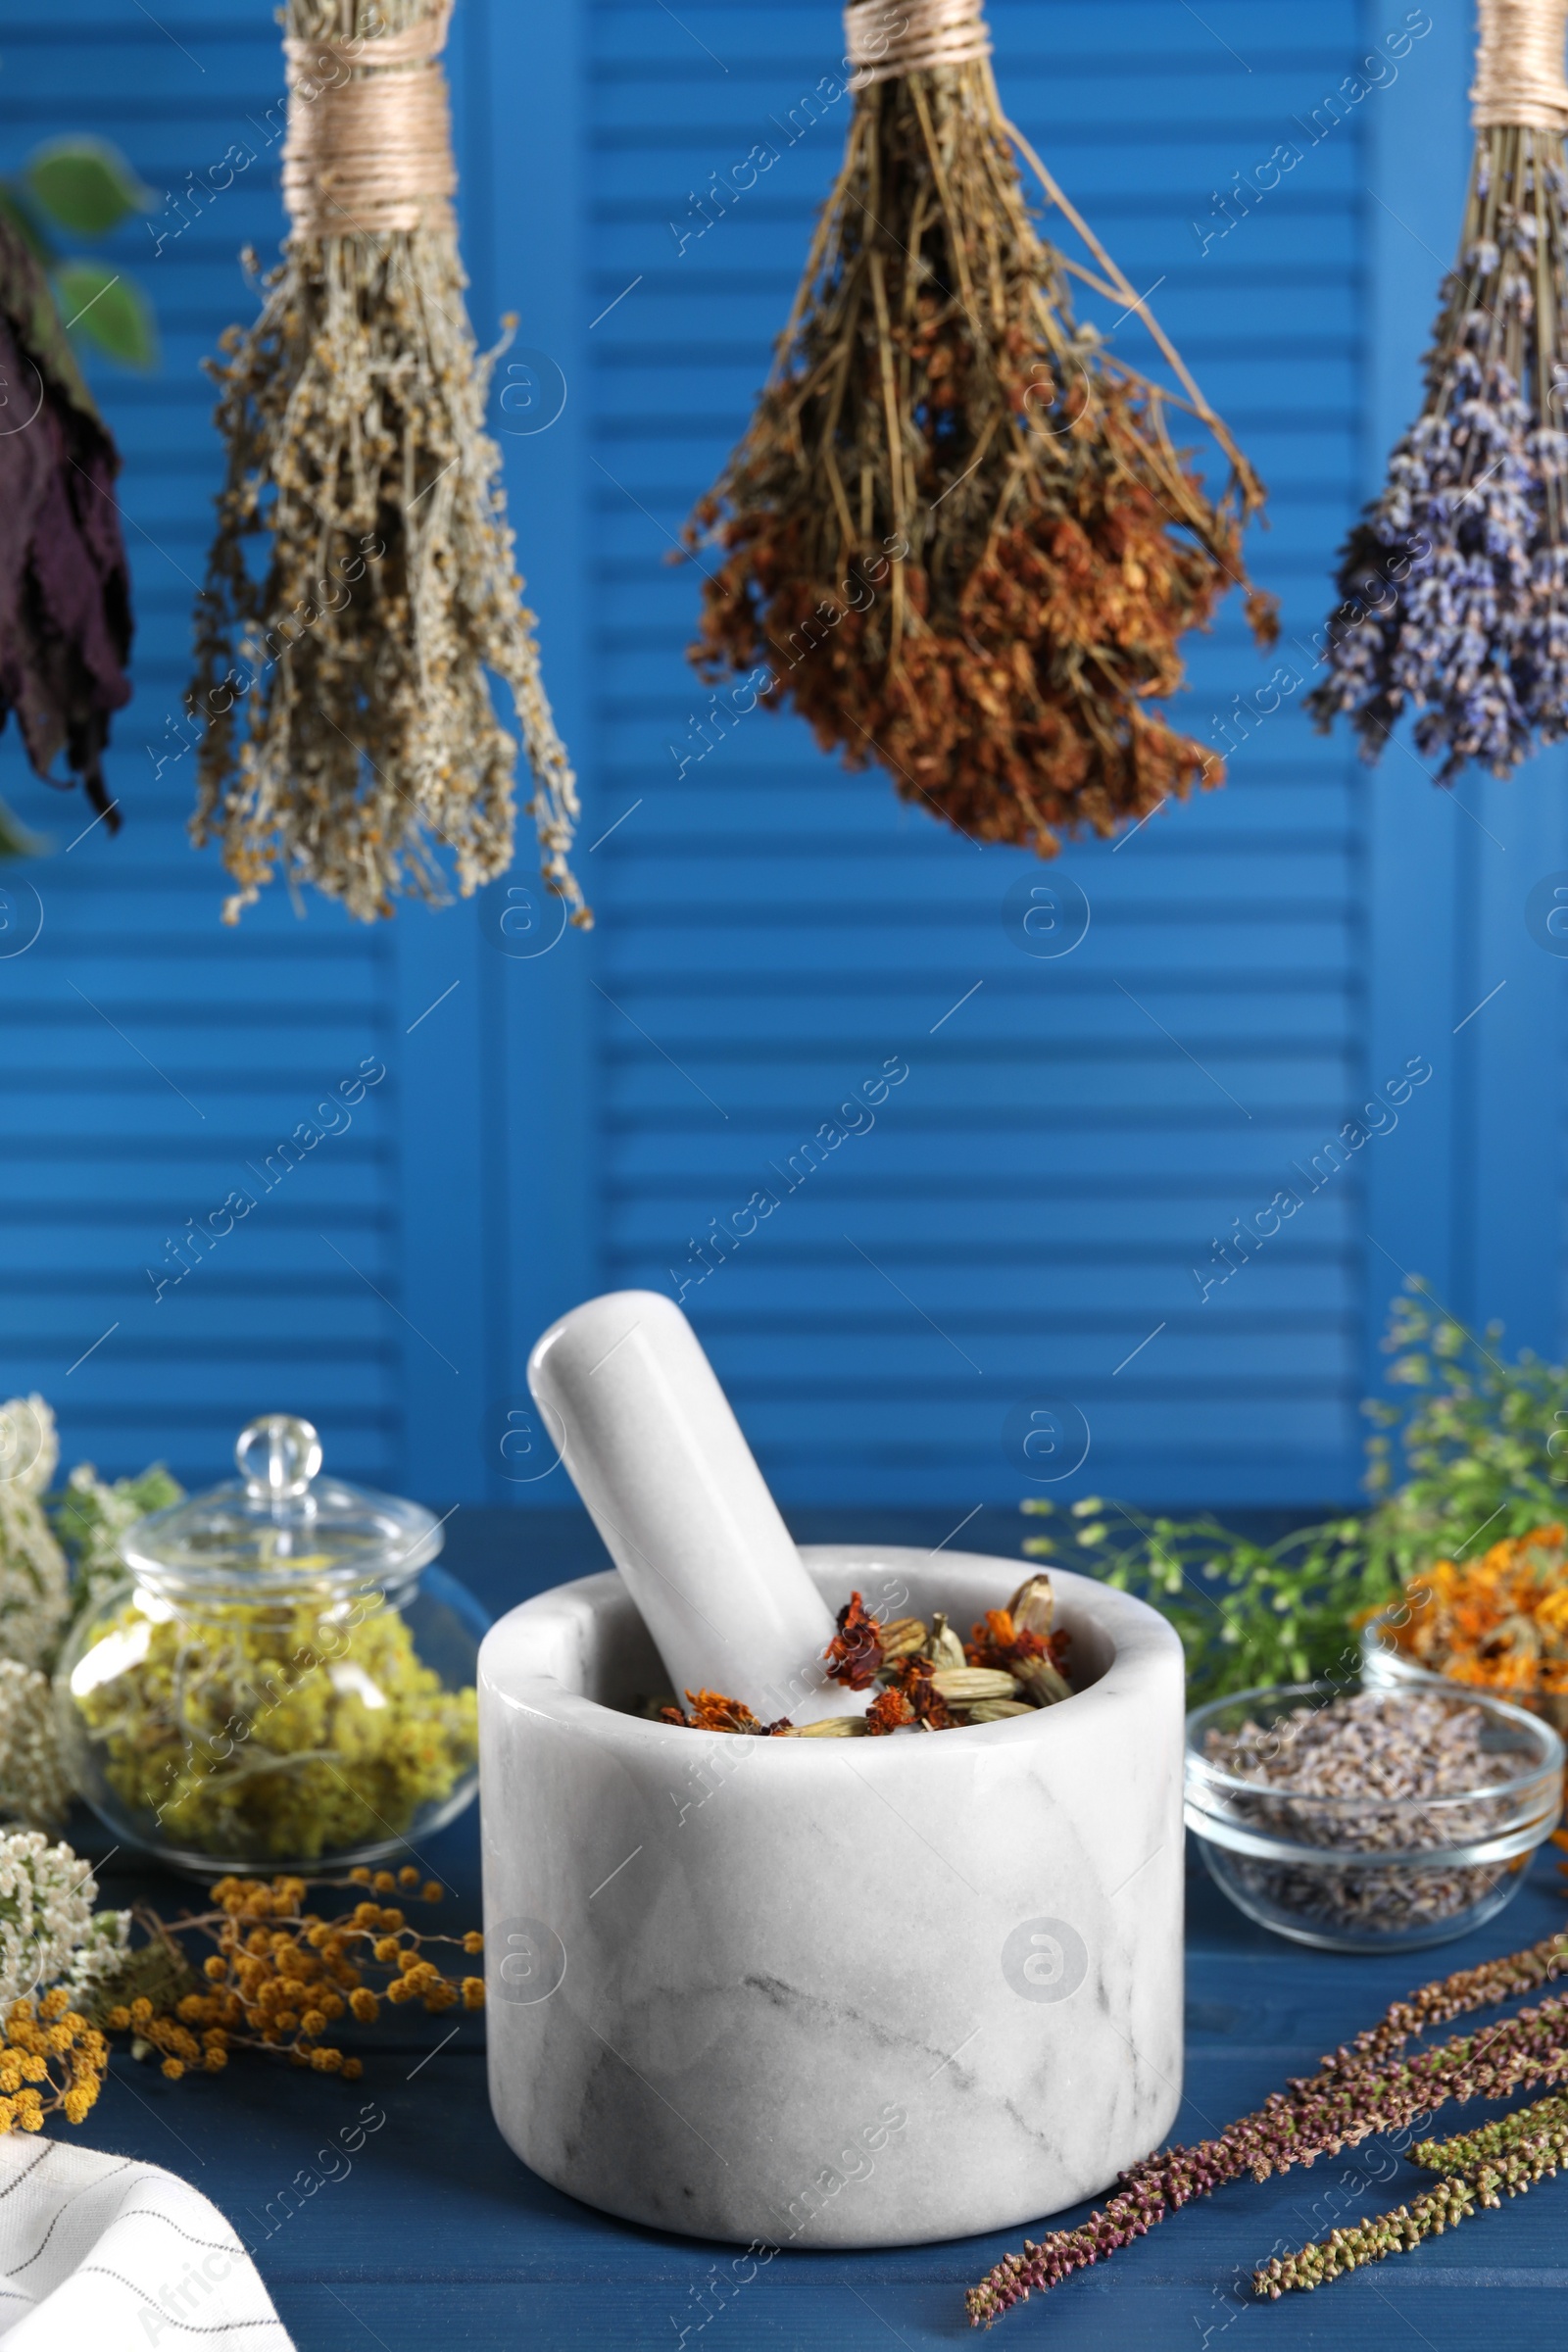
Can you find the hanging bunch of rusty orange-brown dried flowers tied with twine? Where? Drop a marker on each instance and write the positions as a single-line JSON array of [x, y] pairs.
[[958, 533]]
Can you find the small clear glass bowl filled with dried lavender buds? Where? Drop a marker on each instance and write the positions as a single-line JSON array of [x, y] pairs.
[[1372, 1819]]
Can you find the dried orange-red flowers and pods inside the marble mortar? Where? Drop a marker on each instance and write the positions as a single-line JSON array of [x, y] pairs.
[[923, 1673]]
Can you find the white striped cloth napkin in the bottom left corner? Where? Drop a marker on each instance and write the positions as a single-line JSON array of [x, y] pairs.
[[105, 2254]]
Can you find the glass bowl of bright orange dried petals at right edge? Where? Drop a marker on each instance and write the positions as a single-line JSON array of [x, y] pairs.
[[1496, 1624]]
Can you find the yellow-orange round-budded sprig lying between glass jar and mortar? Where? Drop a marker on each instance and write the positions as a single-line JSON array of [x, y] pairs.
[[279, 1977]]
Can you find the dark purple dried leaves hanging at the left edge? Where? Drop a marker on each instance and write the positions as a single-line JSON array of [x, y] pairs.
[[65, 587]]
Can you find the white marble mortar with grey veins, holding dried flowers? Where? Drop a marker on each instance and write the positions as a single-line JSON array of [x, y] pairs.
[[833, 1993]]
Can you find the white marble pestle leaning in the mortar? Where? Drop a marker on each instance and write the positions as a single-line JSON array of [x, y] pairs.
[[685, 1514]]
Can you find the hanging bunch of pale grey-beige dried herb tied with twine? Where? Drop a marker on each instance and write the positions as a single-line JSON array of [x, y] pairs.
[[349, 721]]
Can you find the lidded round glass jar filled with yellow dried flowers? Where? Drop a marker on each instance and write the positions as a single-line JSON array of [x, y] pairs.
[[281, 1681]]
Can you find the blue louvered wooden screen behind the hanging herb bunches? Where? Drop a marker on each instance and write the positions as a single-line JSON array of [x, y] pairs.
[[1045, 1149]]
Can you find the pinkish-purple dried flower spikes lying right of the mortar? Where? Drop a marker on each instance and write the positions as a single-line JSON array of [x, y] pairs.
[[1360, 2090]]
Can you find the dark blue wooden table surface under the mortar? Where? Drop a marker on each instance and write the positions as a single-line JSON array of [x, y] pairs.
[[436, 2236]]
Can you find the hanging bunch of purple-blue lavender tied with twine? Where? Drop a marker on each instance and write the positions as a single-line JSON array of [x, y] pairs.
[[1454, 584]]
